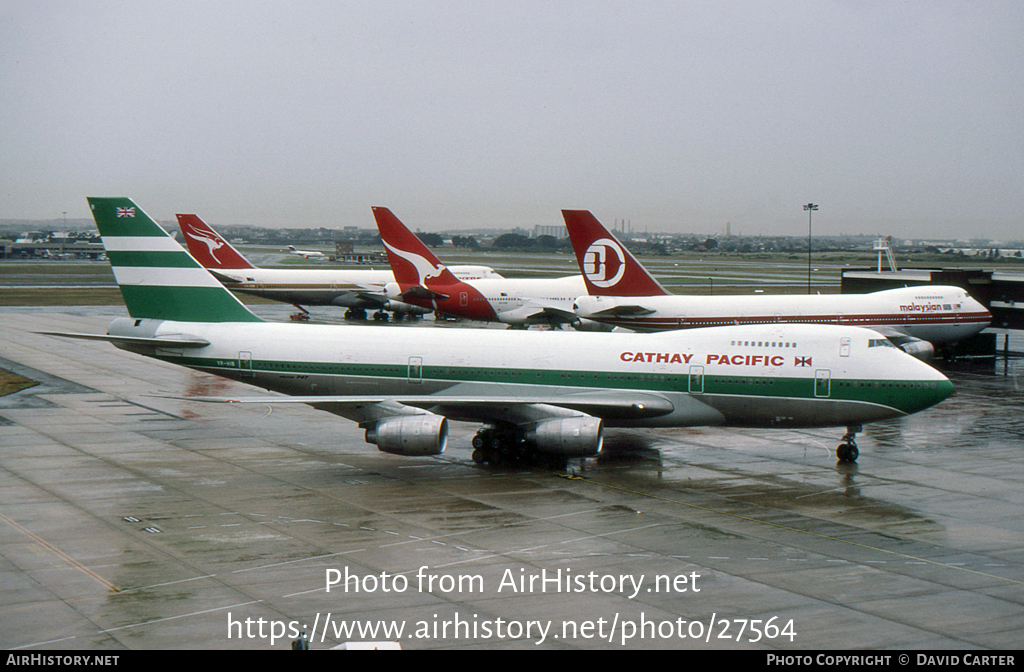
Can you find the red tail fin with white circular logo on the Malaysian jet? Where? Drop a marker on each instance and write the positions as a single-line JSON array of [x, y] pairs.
[[608, 267]]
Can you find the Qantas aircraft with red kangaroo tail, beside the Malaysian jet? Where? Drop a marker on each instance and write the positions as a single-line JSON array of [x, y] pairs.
[[422, 280]]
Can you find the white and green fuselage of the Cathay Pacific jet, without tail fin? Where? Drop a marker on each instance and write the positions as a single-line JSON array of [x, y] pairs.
[[779, 375]]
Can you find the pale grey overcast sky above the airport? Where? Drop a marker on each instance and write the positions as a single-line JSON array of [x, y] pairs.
[[904, 118]]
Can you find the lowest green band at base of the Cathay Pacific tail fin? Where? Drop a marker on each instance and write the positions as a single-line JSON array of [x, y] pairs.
[[185, 304]]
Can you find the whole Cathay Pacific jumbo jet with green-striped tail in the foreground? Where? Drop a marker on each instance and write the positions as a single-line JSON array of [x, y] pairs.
[[551, 392]]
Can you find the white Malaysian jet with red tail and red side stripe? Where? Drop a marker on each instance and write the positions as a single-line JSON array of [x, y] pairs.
[[624, 295]]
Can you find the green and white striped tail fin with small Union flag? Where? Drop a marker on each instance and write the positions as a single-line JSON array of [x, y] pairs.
[[158, 278]]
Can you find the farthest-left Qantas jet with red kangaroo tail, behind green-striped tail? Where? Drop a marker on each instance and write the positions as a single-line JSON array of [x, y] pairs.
[[358, 290]]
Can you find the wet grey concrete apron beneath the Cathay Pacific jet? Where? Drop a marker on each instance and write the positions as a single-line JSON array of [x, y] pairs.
[[129, 520]]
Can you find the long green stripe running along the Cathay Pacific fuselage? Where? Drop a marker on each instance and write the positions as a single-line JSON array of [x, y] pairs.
[[905, 396]]
